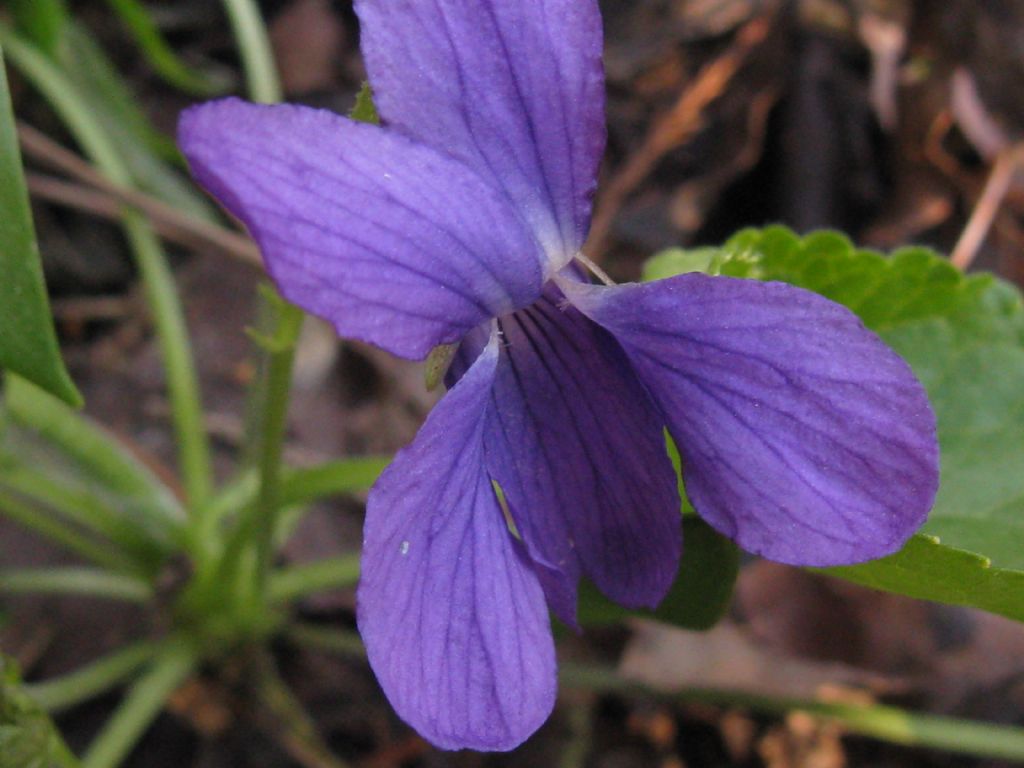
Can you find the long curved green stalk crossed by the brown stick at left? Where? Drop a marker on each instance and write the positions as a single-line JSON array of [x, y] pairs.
[[183, 382]]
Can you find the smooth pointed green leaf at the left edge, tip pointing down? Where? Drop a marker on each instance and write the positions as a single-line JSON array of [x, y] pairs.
[[28, 343]]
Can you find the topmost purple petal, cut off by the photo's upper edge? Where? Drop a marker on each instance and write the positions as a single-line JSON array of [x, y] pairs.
[[516, 90]]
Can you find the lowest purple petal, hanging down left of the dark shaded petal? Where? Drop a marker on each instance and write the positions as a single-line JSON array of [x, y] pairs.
[[450, 609]]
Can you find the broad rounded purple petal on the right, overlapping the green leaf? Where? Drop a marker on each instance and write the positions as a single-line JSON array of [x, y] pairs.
[[804, 438]]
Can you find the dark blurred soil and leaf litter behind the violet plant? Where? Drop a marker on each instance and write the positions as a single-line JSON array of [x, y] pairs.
[[883, 118]]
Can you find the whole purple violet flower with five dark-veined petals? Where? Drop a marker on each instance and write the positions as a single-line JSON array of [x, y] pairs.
[[803, 438]]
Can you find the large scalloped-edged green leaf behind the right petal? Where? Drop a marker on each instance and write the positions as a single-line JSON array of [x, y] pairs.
[[964, 336]]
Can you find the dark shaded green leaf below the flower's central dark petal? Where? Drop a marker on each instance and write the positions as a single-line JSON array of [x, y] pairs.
[[697, 600]]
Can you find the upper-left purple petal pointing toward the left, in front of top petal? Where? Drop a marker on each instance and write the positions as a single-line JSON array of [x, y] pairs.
[[394, 243]]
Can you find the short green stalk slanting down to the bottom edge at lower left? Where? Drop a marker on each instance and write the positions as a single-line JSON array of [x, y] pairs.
[[173, 666]]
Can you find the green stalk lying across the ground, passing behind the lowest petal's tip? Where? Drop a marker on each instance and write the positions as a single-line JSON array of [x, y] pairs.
[[877, 721]]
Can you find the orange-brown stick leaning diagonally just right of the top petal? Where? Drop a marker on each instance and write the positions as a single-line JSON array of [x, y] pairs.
[[673, 130]]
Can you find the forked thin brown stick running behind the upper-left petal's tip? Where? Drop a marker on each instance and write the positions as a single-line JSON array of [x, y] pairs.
[[165, 219]]
